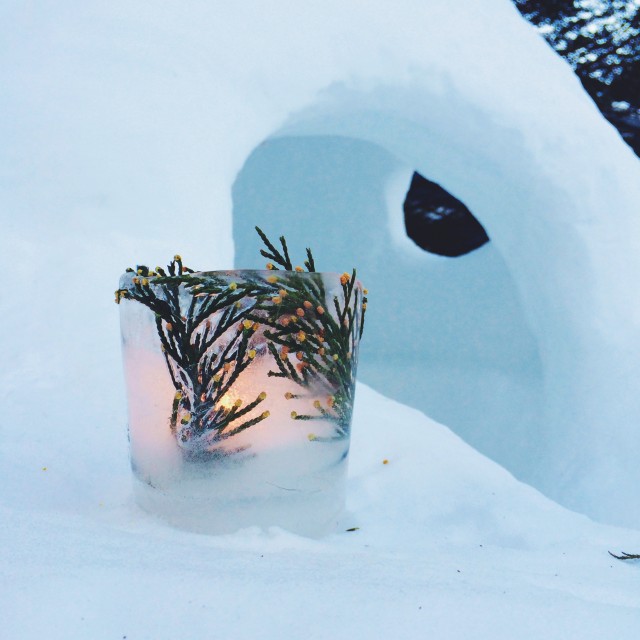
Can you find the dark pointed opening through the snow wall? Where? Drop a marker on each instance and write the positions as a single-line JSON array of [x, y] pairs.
[[439, 223]]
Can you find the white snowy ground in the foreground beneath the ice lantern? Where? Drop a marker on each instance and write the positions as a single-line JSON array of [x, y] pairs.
[[449, 545]]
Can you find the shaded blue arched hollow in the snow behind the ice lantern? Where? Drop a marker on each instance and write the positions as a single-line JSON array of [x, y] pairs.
[[445, 335]]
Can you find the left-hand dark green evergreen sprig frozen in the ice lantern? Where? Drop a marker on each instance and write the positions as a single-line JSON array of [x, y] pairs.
[[203, 358]]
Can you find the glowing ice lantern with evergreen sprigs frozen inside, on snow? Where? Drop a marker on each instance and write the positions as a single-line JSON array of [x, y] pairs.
[[240, 390]]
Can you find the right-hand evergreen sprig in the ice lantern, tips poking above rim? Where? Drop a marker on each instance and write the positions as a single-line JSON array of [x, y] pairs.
[[322, 344]]
